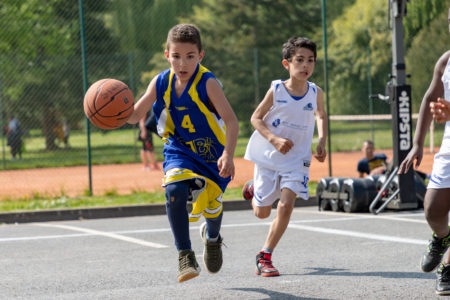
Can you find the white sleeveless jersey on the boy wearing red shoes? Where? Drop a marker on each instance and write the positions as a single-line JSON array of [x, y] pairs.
[[289, 117]]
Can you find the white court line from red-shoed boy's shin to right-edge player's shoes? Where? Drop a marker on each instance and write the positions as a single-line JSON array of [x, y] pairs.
[[370, 236]]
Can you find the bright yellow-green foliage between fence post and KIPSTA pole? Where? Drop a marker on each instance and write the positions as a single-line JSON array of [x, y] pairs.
[[361, 26]]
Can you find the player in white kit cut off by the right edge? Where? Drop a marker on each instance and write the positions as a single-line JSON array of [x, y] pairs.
[[437, 197]]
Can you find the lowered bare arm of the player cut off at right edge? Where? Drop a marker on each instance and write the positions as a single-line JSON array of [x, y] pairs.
[[434, 91]]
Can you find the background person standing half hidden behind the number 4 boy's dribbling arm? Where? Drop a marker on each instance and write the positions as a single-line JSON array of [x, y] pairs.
[[145, 136]]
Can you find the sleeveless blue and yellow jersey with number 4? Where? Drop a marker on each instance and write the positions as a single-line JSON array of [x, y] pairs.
[[193, 134]]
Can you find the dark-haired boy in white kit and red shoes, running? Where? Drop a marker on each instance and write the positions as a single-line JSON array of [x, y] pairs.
[[280, 147]]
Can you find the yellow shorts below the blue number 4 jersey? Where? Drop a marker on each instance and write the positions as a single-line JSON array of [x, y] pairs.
[[206, 201]]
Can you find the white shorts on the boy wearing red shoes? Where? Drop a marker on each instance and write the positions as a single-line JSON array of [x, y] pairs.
[[267, 184]]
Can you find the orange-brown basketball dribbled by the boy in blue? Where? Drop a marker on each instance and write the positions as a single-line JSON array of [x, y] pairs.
[[108, 103]]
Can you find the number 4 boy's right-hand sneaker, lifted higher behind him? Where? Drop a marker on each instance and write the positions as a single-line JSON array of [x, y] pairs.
[[212, 252]]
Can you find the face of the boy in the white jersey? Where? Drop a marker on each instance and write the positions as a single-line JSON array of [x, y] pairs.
[[301, 65]]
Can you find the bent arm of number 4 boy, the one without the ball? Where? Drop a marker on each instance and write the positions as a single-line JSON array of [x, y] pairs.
[[223, 108]]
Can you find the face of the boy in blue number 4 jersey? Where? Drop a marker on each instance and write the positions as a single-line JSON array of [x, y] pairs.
[[183, 57]]
